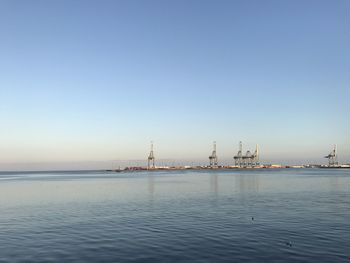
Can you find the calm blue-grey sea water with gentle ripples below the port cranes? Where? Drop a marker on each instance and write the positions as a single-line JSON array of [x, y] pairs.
[[292, 215]]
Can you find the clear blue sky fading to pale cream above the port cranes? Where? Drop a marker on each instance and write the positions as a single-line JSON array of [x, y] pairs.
[[97, 80]]
